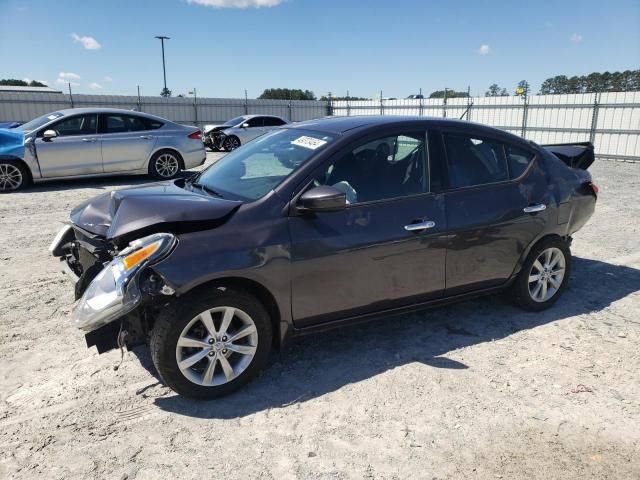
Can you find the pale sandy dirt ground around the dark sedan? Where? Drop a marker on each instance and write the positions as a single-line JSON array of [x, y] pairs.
[[480, 390]]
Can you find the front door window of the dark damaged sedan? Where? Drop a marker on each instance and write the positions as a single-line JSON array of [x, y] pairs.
[[385, 168]]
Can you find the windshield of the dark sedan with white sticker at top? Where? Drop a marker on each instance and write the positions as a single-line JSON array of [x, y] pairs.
[[251, 171]]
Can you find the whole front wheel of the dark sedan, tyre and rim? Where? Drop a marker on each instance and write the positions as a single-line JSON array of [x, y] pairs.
[[209, 345]]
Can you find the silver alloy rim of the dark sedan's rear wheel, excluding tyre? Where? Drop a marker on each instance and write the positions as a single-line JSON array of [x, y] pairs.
[[546, 275]]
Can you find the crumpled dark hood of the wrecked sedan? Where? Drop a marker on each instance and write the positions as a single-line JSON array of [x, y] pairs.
[[136, 211]]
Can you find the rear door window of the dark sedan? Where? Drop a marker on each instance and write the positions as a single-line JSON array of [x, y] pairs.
[[474, 160]]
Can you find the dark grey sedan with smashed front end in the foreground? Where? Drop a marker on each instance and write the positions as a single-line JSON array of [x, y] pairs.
[[316, 225]]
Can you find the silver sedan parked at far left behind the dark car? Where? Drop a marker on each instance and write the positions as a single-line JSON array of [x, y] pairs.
[[83, 142]]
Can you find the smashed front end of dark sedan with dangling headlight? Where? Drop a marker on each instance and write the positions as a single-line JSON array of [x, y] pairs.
[[111, 285]]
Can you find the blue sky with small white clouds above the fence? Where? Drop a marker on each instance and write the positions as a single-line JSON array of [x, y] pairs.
[[321, 45]]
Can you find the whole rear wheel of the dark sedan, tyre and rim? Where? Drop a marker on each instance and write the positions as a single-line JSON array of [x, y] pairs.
[[544, 276]]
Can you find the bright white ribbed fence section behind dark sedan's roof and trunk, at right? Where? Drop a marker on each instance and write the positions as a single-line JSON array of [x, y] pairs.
[[610, 120]]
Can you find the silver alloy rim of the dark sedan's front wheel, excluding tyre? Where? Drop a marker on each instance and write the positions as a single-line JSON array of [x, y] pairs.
[[217, 346]]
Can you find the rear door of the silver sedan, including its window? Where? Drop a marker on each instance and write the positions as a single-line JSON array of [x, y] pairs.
[[127, 144]]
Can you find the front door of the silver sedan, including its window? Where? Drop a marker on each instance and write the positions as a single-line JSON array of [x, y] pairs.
[[75, 150]]
